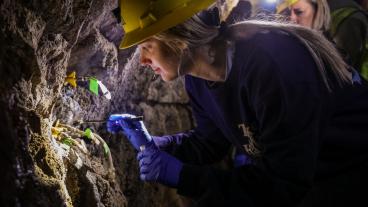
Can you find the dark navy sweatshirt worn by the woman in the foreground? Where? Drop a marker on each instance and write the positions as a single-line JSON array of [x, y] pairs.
[[275, 107]]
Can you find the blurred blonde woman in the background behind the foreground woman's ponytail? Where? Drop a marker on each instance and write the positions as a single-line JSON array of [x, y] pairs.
[[341, 21]]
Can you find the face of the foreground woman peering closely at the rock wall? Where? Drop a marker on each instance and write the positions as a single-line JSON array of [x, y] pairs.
[[155, 54]]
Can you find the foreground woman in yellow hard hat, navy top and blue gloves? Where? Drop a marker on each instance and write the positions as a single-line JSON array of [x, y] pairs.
[[280, 93]]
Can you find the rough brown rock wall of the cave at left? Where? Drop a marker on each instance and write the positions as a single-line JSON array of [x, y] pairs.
[[41, 42]]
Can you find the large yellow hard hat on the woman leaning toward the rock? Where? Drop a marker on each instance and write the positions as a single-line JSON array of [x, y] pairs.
[[144, 18]]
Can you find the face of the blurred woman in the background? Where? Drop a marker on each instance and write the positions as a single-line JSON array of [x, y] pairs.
[[302, 13]]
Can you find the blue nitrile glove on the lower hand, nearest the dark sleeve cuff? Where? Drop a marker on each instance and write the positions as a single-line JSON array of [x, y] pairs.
[[158, 166]]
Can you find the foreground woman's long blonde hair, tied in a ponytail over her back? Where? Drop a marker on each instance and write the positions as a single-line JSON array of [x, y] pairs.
[[194, 33]]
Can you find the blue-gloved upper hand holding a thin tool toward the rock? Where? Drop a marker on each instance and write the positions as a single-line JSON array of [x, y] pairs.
[[133, 129]]
